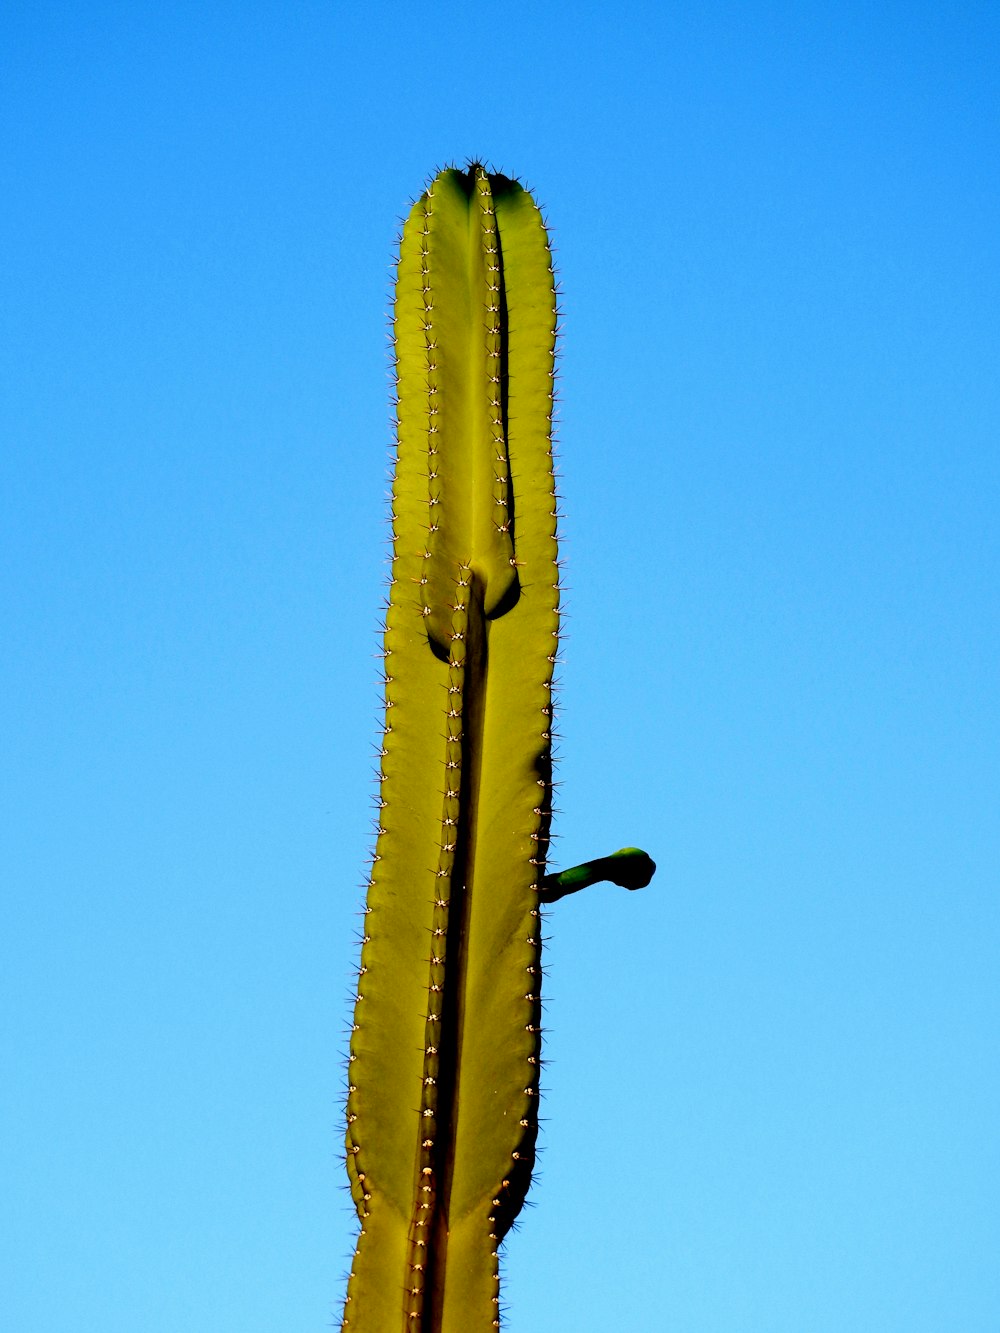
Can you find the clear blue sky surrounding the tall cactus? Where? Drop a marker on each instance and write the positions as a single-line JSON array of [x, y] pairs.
[[774, 1083]]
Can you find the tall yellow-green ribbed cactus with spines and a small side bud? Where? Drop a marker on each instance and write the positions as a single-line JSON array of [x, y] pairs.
[[443, 1080]]
